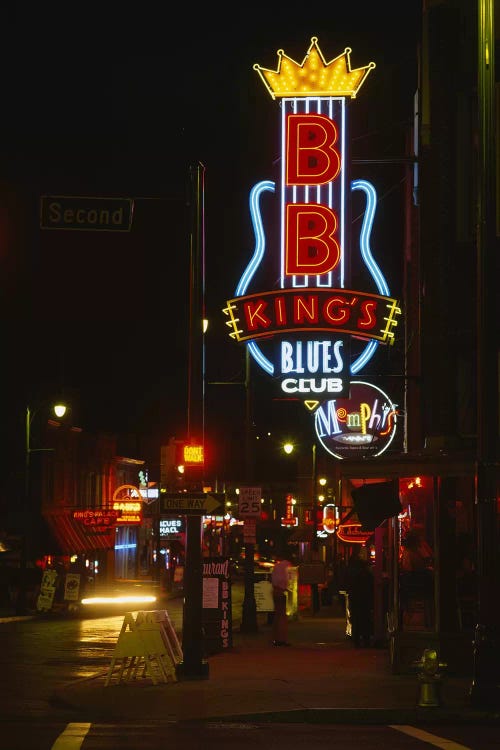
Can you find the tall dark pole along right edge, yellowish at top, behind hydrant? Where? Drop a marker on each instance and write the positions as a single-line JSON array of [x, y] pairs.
[[485, 688]]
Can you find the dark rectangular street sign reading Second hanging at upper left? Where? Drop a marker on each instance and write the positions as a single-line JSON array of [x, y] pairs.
[[83, 213]]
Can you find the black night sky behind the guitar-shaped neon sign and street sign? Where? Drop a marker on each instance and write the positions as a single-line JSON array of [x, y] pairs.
[[117, 104]]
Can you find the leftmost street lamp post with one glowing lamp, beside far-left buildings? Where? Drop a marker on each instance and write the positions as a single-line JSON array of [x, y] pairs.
[[59, 410]]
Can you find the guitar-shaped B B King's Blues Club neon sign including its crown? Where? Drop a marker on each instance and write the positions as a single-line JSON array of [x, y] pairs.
[[314, 310]]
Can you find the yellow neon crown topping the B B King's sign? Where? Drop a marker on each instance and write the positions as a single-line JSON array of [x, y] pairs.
[[314, 76]]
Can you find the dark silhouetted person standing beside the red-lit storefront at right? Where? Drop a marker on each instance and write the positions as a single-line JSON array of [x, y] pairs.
[[359, 587]]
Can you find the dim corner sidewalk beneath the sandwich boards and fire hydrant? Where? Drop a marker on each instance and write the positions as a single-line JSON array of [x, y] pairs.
[[320, 678]]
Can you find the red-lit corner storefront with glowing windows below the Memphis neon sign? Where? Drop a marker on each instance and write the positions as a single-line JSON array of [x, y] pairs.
[[425, 590]]
